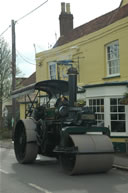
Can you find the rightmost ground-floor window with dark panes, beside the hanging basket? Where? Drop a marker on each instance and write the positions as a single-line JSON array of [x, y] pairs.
[[117, 115]]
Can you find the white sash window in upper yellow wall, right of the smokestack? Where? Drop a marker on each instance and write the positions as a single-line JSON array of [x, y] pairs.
[[113, 60]]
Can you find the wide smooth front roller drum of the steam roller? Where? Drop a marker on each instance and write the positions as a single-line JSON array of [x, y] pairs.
[[91, 154]]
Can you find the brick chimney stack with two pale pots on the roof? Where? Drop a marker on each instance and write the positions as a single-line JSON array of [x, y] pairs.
[[66, 19]]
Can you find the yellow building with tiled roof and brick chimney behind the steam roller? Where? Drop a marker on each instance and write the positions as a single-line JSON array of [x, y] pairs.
[[99, 51]]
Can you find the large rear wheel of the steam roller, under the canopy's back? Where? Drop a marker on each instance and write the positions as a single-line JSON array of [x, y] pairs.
[[25, 145]]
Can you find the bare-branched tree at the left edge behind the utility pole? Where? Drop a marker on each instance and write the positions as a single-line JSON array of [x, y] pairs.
[[5, 74]]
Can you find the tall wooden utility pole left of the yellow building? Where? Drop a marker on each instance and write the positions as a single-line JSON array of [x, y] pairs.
[[13, 73]]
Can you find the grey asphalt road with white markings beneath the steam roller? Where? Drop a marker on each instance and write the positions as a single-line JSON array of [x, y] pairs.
[[46, 176]]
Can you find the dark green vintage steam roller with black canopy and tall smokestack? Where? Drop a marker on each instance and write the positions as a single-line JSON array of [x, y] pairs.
[[66, 131]]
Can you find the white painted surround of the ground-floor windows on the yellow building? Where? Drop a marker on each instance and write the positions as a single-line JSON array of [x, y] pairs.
[[108, 92]]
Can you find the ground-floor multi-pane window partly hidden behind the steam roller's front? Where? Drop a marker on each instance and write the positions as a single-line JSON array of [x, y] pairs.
[[97, 106]]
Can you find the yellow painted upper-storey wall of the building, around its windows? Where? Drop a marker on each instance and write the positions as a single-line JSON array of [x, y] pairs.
[[91, 52]]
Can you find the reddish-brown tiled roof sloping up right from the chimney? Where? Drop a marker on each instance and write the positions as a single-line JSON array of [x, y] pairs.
[[94, 25]]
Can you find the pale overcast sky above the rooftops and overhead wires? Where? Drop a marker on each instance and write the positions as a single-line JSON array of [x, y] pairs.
[[39, 31]]
